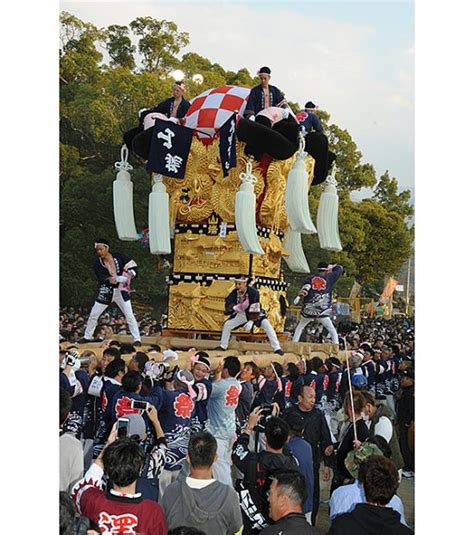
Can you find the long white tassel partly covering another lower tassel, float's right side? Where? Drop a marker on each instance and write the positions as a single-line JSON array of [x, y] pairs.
[[296, 195]]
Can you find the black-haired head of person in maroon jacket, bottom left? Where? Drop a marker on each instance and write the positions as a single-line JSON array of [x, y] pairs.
[[123, 461]]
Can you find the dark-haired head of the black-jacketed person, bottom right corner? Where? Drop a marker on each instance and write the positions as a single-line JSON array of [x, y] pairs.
[[379, 477]]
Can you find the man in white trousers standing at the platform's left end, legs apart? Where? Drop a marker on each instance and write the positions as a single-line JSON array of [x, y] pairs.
[[114, 271]]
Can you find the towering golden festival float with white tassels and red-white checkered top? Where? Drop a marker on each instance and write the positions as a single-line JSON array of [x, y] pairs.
[[229, 197]]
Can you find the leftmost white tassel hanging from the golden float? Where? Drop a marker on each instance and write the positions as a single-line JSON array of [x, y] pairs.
[[123, 199]]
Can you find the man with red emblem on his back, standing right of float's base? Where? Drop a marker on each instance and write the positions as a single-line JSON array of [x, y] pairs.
[[316, 293]]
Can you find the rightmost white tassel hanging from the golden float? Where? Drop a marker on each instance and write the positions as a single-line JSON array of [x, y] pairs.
[[327, 220]]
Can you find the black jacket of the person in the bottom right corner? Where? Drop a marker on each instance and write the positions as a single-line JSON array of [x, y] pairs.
[[368, 519]]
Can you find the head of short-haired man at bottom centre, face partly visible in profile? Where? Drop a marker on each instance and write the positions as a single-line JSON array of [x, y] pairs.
[[287, 493]]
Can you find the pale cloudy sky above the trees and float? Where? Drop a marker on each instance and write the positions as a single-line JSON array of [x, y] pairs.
[[354, 59]]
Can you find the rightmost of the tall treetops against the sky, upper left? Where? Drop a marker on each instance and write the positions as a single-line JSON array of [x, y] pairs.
[[159, 43]]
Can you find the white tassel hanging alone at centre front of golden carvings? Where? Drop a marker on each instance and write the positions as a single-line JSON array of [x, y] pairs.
[[245, 213]]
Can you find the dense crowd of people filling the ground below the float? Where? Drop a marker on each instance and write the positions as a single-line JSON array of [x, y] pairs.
[[149, 447]]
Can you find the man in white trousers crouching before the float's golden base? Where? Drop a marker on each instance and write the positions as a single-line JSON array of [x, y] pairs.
[[243, 306]]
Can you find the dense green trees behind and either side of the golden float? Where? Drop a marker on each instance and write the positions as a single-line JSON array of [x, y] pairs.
[[98, 102]]
